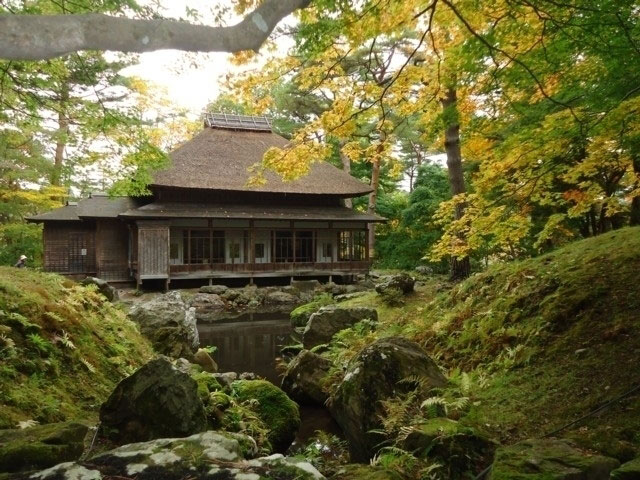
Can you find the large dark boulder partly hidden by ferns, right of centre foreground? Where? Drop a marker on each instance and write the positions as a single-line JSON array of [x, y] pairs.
[[374, 375]]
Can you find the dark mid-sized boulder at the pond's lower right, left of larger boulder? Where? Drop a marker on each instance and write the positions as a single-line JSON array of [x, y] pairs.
[[304, 378]]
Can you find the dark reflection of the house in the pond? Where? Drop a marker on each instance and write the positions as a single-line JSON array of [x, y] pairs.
[[247, 346]]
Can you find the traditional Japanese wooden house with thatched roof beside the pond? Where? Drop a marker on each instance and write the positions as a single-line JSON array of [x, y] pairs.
[[203, 221]]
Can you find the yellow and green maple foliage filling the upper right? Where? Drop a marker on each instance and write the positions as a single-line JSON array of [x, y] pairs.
[[538, 97]]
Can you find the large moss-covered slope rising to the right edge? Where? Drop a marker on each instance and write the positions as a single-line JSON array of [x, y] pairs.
[[537, 343]]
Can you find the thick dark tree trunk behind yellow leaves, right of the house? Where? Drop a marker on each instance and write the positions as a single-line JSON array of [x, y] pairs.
[[460, 267]]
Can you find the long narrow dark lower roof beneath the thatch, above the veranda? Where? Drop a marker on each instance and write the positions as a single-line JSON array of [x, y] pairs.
[[266, 212]]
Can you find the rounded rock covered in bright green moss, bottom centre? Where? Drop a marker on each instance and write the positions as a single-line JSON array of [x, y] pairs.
[[278, 412]]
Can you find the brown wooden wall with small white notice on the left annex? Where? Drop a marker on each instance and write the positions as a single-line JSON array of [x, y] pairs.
[[64, 246]]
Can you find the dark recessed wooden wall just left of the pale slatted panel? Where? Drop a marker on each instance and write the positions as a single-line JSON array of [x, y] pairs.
[[112, 250]]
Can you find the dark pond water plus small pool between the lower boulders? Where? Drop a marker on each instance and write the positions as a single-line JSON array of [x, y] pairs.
[[251, 343]]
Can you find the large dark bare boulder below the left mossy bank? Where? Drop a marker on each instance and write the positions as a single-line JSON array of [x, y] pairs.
[[156, 401]]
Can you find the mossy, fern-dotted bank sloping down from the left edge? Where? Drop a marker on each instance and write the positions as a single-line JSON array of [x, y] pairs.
[[62, 348]]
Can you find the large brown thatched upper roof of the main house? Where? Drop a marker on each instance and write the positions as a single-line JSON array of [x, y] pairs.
[[219, 158]]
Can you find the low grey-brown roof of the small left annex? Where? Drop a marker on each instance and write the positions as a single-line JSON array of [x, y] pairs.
[[98, 205]]
